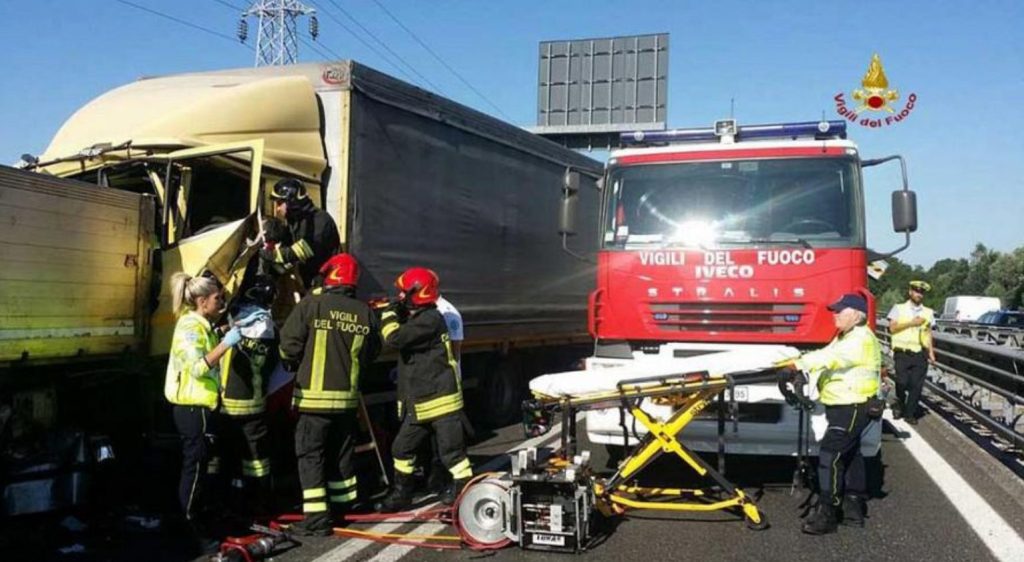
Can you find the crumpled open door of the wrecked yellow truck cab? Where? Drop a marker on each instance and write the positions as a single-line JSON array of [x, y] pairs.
[[211, 199]]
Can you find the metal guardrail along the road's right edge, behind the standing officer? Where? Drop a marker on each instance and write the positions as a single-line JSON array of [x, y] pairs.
[[982, 378]]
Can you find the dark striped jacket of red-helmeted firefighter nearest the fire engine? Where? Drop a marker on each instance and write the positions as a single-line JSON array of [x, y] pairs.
[[430, 385]]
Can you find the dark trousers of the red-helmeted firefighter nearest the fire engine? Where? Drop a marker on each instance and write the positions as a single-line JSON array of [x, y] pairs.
[[447, 430]]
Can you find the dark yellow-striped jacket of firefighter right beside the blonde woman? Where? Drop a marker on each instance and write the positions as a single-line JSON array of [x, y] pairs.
[[245, 372]]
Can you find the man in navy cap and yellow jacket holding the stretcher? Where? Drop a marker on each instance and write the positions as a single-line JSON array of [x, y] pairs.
[[848, 373]]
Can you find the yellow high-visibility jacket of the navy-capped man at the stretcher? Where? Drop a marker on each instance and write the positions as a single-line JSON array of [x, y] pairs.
[[849, 369]]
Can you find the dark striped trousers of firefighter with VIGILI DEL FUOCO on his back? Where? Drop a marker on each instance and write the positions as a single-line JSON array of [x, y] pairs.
[[325, 446]]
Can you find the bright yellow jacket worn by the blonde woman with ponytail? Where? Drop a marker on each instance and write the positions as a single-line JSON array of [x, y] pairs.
[[190, 381]]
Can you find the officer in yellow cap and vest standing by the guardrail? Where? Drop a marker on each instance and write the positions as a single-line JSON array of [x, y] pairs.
[[911, 325]]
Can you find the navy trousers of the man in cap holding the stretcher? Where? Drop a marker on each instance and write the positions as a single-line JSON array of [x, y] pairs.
[[841, 467]]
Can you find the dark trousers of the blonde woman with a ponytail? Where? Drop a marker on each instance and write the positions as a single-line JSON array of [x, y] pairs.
[[197, 426]]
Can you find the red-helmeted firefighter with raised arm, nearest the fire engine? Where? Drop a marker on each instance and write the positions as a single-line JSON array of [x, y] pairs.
[[431, 400]]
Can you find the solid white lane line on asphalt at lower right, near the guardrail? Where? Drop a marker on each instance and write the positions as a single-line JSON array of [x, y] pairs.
[[994, 531]]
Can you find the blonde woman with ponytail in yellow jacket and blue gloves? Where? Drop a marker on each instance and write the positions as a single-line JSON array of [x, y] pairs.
[[192, 386]]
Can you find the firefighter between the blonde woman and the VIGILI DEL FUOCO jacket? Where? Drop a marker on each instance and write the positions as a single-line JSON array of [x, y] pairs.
[[245, 373]]
